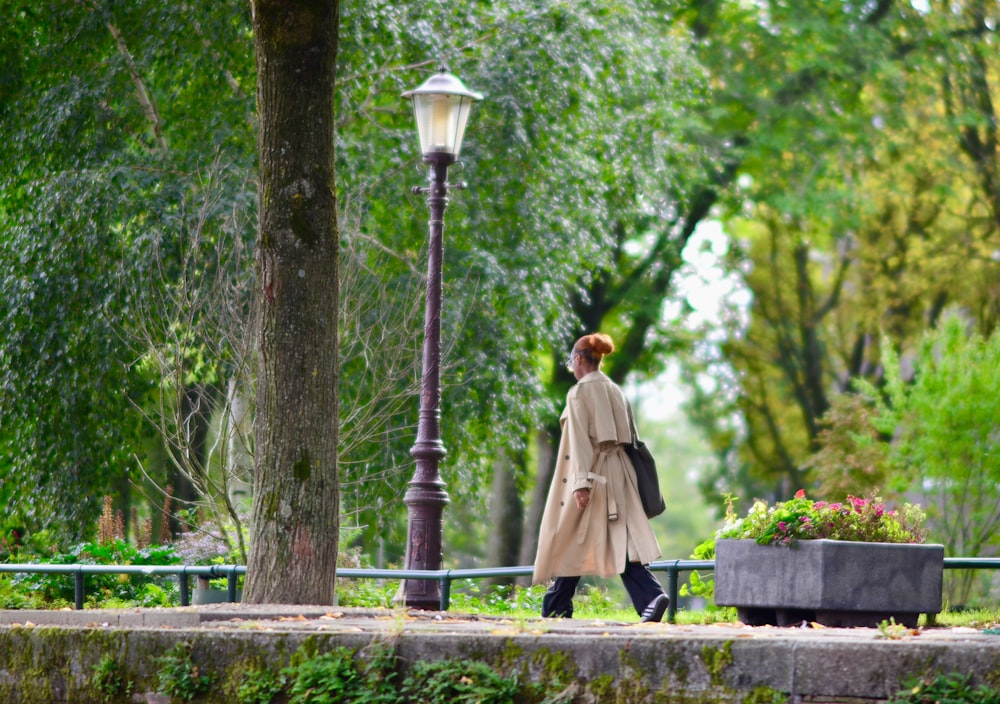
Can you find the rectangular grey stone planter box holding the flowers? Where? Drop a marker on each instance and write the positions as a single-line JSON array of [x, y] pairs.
[[832, 582]]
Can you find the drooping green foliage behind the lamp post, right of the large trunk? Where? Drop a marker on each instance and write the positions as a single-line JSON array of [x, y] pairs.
[[582, 127]]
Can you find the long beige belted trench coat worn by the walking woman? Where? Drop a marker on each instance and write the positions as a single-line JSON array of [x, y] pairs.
[[613, 526]]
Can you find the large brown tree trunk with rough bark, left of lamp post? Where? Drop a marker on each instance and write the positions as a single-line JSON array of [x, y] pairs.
[[293, 550]]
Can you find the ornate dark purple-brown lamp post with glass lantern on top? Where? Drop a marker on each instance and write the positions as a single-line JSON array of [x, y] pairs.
[[441, 107]]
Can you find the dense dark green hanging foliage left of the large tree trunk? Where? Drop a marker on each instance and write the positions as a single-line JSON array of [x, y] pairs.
[[117, 139]]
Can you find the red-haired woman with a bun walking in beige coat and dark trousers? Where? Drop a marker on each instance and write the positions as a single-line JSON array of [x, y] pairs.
[[593, 522]]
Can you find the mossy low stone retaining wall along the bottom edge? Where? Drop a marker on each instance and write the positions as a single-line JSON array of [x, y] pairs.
[[47, 664]]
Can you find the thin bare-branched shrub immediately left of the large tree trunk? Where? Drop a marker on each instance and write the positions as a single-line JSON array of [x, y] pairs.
[[190, 333]]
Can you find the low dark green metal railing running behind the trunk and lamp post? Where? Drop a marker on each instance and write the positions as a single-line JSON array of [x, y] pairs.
[[232, 573]]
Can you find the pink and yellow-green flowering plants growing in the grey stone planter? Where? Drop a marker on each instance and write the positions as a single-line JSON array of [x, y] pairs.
[[865, 520]]
